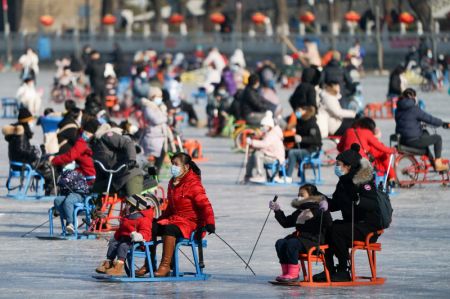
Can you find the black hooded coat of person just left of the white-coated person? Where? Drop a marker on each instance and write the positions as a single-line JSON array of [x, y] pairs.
[[305, 93]]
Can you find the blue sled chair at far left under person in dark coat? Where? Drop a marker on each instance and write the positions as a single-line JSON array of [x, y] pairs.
[[29, 178]]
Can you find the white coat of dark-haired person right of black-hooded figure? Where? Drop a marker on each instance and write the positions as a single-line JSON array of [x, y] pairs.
[[331, 113]]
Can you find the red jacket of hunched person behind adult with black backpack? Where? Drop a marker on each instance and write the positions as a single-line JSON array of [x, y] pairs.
[[367, 140]]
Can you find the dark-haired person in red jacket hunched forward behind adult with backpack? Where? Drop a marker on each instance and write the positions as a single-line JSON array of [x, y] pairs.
[[363, 132]]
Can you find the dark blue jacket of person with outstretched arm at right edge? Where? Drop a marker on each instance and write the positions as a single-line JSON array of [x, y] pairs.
[[409, 118]]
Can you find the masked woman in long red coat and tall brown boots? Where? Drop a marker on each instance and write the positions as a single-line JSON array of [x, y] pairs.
[[188, 209]]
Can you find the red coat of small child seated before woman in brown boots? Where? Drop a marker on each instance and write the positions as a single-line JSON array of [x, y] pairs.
[[140, 222]]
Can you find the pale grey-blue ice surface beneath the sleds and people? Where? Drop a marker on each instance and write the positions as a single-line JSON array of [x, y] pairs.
[[415, 257]]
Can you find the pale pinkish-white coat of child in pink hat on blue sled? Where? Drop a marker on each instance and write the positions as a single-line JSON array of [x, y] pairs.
[[271, 144]]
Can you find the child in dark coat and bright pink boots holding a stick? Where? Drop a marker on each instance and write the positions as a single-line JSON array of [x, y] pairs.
[[307, 219]]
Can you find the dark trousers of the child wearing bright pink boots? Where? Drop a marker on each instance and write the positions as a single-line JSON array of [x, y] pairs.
[[289, 249]]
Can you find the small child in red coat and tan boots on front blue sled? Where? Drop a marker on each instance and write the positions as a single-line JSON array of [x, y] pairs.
[[135, 226]]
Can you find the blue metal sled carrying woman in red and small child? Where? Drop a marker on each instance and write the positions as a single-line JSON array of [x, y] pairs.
[[175, 274]]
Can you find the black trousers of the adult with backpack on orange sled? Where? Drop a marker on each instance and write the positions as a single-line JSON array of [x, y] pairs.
[[339, 239]]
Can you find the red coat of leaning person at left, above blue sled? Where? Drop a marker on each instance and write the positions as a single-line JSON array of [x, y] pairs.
[[81, 154]]
